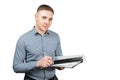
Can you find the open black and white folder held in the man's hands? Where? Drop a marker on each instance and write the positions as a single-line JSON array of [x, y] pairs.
[[68, 61]]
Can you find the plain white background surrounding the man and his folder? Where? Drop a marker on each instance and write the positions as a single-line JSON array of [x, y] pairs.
[[88, 27]]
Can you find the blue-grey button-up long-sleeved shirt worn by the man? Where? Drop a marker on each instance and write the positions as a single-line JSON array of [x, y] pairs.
[[31, 47]]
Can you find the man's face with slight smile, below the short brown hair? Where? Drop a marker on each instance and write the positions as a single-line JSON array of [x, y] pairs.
[[43, 19]]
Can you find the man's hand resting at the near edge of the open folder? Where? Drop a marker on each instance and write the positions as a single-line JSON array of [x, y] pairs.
[[45, 62]]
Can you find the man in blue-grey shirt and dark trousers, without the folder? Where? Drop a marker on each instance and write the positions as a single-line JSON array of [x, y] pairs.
[[36, 49]]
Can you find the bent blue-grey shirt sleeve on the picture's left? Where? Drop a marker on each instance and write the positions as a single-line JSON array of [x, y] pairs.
[[19, 64]]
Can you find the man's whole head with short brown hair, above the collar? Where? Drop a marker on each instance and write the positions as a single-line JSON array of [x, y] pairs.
[[43, 17]]
